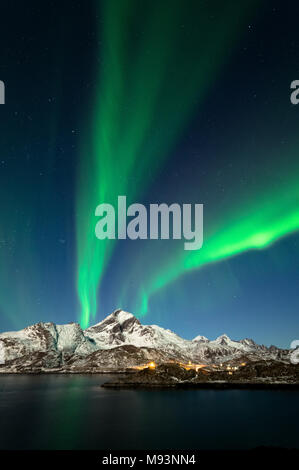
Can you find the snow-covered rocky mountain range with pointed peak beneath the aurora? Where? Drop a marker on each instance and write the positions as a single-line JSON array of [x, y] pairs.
[[118, 342]]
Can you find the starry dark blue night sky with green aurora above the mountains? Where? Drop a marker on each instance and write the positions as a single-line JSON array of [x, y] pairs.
[[172, 101]]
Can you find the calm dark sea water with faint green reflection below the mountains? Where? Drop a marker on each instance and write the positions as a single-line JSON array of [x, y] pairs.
[[74, 412]]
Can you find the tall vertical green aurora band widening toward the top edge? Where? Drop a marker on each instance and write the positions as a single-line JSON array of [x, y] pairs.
[[143, 104]]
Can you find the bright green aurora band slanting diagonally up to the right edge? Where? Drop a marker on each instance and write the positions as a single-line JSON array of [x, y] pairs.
[[253, 227]]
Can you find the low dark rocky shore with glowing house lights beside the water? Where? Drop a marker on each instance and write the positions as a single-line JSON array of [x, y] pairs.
[[256, 375]]
